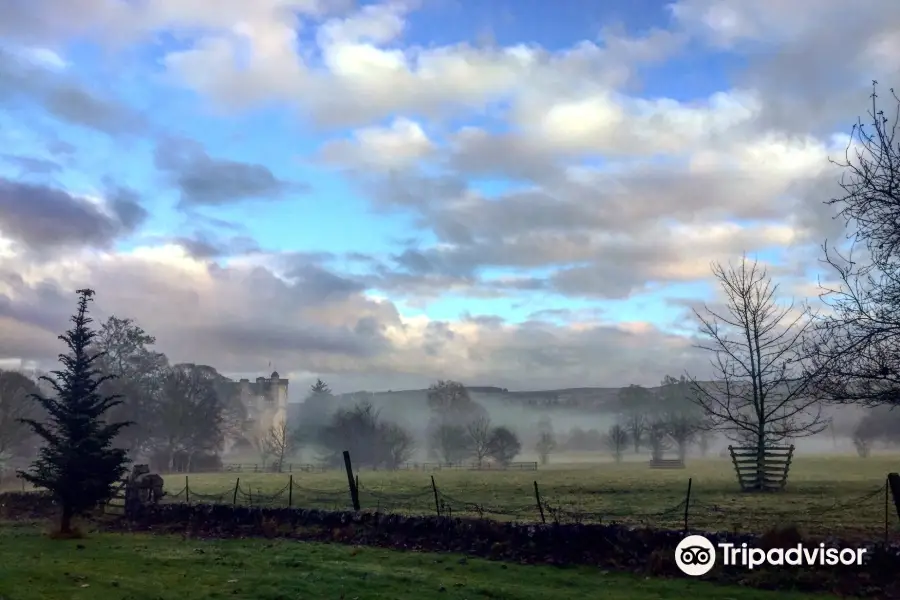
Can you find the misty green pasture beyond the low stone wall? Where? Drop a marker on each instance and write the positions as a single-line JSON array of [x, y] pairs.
[[828, 495]]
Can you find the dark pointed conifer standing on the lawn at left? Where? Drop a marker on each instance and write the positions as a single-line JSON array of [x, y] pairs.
[[77, 462]]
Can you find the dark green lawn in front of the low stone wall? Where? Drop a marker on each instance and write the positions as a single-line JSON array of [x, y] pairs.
[[122, 566]]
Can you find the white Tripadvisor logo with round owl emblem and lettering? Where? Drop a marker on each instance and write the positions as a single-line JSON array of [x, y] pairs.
[[695, 555]]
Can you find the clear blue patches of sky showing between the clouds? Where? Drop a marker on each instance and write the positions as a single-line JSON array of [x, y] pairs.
[[334, 216]]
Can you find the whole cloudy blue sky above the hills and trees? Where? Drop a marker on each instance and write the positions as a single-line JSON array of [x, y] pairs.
[[525, 194]]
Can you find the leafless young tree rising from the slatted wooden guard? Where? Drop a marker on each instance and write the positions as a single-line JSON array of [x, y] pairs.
[[759, 391]]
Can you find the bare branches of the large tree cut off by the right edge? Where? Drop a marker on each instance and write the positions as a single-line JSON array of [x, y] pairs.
[[855, 355]]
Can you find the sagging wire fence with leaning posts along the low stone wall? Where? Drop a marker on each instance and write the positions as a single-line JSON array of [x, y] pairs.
[[868, 516]]
